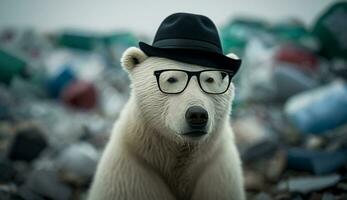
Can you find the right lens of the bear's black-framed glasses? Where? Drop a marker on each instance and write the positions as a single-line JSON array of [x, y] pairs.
[[214, 81]]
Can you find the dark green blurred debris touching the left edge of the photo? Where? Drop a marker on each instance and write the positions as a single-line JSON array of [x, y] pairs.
[[10, 66]]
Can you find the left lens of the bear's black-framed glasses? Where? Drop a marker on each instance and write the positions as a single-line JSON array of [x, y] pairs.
[[173, 81]]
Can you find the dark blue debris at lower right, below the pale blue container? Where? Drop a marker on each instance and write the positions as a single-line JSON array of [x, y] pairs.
[[318, 162]]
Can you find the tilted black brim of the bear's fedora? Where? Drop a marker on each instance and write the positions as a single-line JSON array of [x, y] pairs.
[[193, 56]]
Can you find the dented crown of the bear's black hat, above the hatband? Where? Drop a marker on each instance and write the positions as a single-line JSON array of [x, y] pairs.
[[188, 26]]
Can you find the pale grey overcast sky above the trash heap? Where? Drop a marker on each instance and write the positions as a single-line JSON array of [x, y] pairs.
[[144, 17]]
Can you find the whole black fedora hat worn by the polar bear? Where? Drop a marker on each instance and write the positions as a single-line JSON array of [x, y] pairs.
[[192, 39]]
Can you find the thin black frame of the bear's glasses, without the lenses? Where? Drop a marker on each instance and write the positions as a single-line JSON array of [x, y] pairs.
[[190, 75]]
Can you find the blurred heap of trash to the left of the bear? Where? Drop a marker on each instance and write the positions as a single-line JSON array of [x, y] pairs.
[[59, 97]]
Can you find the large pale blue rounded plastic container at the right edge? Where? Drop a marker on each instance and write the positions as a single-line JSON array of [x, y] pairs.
[[319, 110]]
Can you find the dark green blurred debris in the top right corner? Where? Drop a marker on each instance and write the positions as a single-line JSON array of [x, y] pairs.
[[331, 29]]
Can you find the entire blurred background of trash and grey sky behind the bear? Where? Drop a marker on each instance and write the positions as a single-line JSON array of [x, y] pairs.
[[62, 88]]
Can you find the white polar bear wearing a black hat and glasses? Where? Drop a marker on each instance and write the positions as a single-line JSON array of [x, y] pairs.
[[148, 158]]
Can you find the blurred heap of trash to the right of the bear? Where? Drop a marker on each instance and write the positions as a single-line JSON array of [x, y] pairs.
[[290, 111]]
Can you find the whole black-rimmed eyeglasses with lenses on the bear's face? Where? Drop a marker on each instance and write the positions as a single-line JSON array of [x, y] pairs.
[[175, 81]]
